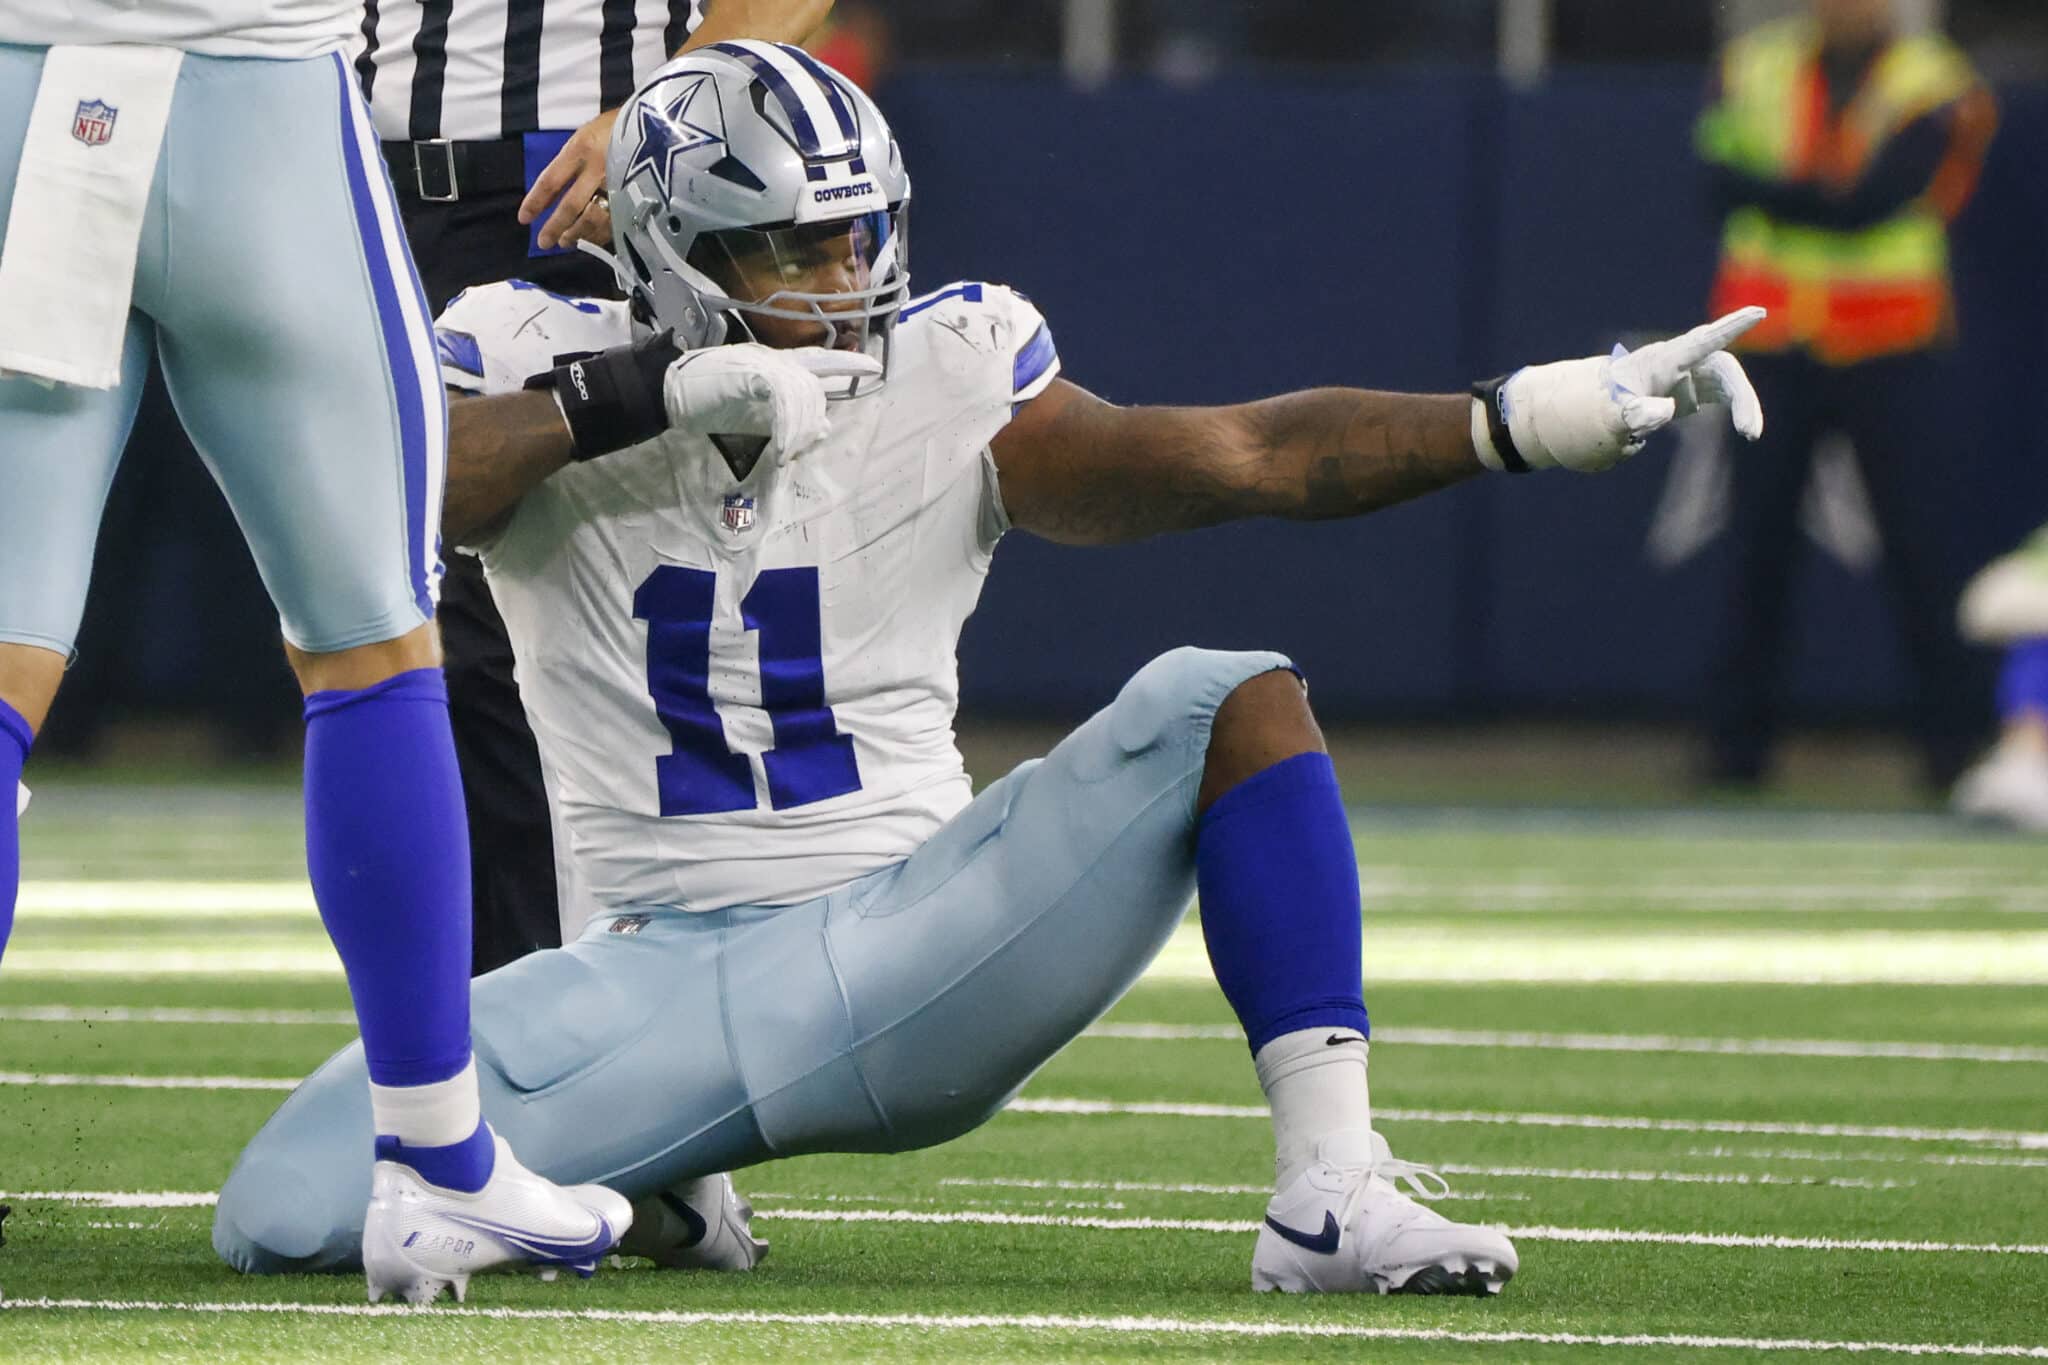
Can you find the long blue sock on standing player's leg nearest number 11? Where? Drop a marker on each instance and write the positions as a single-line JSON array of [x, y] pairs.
[[388, 852]]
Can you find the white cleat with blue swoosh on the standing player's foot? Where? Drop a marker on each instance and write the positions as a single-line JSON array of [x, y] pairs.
[[421, 1239]]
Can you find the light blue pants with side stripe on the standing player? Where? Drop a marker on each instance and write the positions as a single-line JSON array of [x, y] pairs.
[[275, 285]]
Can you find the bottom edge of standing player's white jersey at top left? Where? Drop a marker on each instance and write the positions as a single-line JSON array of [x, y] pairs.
[[214, 28]]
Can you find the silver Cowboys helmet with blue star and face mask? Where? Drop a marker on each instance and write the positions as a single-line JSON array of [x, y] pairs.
[[759, 195]]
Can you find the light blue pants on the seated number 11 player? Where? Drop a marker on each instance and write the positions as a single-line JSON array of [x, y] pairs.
[[892, 1014]]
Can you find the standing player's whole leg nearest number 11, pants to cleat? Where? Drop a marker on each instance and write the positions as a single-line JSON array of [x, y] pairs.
[[331, 443]]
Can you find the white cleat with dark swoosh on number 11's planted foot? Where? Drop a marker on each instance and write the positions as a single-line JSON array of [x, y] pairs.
[[1345, 1229]]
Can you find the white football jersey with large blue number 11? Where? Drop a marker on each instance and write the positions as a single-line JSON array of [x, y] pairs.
[[744, 691]]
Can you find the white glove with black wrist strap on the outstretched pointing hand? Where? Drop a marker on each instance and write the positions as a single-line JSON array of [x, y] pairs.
[[1596, 412]]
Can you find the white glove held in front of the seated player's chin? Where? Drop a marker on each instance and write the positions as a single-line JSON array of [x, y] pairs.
[[755, 390]]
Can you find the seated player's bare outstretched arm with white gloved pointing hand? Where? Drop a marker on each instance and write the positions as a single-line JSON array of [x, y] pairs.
[[1084, 472]]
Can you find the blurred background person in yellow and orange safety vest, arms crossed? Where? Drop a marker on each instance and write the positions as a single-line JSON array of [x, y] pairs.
[[1840, 152]]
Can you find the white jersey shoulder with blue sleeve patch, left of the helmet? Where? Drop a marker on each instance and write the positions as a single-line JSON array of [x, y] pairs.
[[495, 337]]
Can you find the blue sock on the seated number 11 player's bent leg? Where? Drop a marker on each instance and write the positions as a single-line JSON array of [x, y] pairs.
[[1279, 883]]
